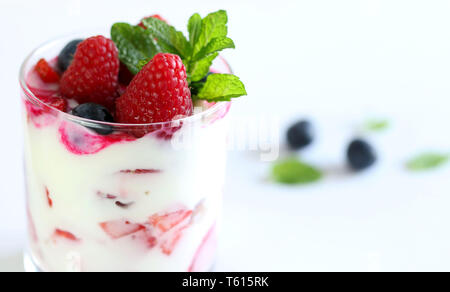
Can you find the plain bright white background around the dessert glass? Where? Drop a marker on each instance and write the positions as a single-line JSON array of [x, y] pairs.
[[338, 62]]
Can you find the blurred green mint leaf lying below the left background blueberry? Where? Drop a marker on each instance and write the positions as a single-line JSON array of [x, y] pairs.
[[293, 171]]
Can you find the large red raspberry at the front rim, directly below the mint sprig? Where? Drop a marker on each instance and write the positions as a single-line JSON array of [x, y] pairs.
[[158, 93]]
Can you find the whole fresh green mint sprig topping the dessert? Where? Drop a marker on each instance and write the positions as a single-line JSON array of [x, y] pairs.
[[207, 37]]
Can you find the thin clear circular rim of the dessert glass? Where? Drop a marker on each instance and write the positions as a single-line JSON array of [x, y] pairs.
[[67, 116]]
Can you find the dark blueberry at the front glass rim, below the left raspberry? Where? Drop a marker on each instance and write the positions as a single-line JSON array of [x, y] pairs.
[[95, 112]]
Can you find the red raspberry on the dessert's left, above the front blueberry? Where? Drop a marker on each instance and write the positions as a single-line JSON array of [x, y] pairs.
[[93, 74]]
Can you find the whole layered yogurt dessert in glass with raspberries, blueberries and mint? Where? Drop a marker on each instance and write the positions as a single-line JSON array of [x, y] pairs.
[[125, 147]]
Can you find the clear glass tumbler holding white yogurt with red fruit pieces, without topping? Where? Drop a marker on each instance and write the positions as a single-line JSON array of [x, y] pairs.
[[101, 199]]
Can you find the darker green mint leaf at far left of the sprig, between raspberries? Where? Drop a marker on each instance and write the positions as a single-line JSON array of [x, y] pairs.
[[133, 43]]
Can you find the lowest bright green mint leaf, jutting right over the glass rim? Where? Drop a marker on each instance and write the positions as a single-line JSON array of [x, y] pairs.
[[221, 87]]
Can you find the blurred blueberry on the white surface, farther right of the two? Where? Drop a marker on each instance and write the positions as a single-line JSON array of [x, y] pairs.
[[361, 155]]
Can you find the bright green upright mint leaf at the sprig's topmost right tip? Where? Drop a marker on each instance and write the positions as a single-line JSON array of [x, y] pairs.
[[214, 25]]
